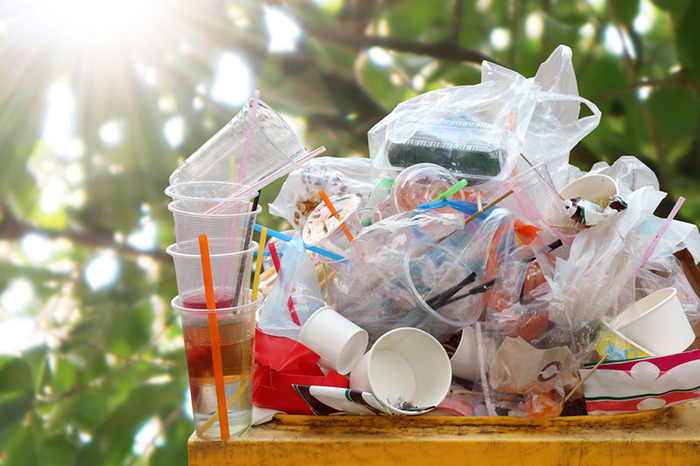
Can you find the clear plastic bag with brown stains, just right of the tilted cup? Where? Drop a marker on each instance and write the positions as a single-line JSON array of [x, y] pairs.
[[298, 196]]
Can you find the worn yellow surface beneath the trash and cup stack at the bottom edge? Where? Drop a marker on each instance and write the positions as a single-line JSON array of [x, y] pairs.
[[669, 436]]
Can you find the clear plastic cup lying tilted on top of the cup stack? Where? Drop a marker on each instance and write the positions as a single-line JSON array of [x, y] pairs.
[[254, 148]]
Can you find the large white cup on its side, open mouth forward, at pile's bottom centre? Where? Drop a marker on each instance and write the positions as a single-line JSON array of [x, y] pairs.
[[406, 370]]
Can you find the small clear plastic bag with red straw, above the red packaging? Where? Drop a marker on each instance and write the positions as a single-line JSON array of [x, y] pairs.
[[298, 280]]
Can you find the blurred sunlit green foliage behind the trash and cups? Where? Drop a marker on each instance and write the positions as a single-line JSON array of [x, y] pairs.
[[110, 360]]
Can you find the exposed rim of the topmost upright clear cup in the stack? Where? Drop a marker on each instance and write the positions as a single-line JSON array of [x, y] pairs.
[[210, 197]]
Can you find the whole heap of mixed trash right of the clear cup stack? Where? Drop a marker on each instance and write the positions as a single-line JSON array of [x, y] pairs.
[[467, 268]]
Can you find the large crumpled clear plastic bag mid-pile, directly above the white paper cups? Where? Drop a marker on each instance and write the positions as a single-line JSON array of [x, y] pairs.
[[395, 264]]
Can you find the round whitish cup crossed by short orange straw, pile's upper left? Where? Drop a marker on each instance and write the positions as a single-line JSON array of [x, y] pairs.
[[324, 230]]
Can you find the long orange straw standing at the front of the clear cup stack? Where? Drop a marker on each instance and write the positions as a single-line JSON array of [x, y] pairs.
[[214, 337]]
